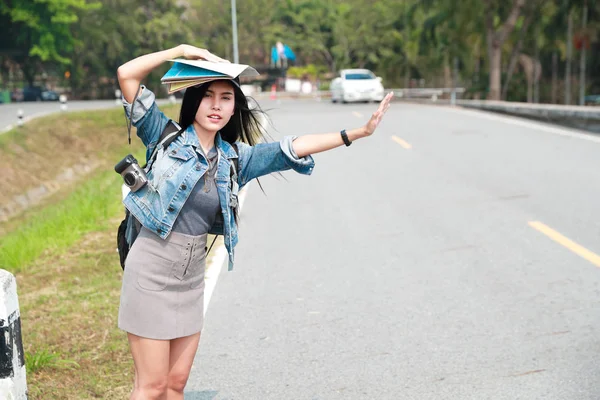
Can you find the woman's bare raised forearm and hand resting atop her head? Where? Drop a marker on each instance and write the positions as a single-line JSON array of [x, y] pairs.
[[133, 72]]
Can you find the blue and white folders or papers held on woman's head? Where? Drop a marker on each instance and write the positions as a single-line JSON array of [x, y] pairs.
[[185, 73]]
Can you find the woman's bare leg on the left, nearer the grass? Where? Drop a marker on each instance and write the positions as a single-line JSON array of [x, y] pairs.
[[151, 361]]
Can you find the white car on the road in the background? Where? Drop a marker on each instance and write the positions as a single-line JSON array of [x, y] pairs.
[[356, 85]]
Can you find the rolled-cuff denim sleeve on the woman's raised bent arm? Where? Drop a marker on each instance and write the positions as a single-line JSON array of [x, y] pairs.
[[147, 118]]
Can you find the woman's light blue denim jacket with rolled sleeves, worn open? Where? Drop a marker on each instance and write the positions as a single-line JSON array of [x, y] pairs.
[[177, 170]]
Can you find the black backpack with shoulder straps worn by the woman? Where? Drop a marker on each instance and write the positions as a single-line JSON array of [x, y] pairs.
[[171, 132]]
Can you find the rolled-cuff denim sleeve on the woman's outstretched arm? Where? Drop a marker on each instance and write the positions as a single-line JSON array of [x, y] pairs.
[[265, 158]]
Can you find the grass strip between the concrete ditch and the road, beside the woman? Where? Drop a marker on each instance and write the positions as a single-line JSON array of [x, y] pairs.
[[68, 278]]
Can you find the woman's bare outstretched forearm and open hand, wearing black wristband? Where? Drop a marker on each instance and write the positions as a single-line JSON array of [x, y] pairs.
[[316, 143]]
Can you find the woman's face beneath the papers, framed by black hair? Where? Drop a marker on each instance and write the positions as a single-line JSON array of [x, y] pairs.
[[217, 106]]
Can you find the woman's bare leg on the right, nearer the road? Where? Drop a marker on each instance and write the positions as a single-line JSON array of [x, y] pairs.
[[181, 359]]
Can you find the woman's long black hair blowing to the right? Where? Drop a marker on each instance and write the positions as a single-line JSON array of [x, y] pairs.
[[245, 124]]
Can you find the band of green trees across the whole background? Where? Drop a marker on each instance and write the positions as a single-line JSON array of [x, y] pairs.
[[441, 41]]
